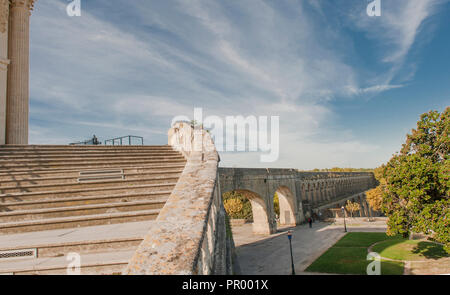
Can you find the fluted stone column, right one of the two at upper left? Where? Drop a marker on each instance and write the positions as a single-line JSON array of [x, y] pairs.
[[17, 103]]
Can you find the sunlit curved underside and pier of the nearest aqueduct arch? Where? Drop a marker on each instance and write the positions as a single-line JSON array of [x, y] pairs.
[[262, 223]]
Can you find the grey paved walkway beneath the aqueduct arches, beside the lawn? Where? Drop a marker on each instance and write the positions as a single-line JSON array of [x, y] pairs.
[[270, 255]]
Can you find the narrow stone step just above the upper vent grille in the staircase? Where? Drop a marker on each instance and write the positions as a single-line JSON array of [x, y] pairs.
[[89, 165]]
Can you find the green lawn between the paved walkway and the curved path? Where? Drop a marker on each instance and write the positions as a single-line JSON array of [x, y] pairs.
[[348, 256]]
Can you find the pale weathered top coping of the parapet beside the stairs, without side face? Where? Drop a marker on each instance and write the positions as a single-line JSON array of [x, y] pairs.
[[173, 244]]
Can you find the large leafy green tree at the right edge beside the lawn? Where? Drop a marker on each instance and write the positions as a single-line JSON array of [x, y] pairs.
[[417, 187]]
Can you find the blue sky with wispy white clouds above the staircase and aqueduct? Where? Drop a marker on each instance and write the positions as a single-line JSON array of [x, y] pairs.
[[346, 87]]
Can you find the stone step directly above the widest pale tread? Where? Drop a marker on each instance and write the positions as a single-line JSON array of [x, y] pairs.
[[77, 221]]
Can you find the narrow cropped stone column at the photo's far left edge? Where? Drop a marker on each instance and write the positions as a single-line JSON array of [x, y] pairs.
[[4, 62]]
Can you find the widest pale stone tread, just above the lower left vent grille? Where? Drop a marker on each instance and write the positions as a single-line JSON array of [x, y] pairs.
[[91, 239]]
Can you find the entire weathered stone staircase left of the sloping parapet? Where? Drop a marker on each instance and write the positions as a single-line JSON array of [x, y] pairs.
[[98, 201]]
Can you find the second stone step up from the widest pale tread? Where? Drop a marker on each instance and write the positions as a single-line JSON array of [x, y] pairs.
[[81, 210]]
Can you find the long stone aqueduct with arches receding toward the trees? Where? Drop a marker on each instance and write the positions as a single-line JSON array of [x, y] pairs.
[[300, 193]]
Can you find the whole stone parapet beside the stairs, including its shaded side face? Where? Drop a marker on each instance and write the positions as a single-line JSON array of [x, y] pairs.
[[189, 236]]
